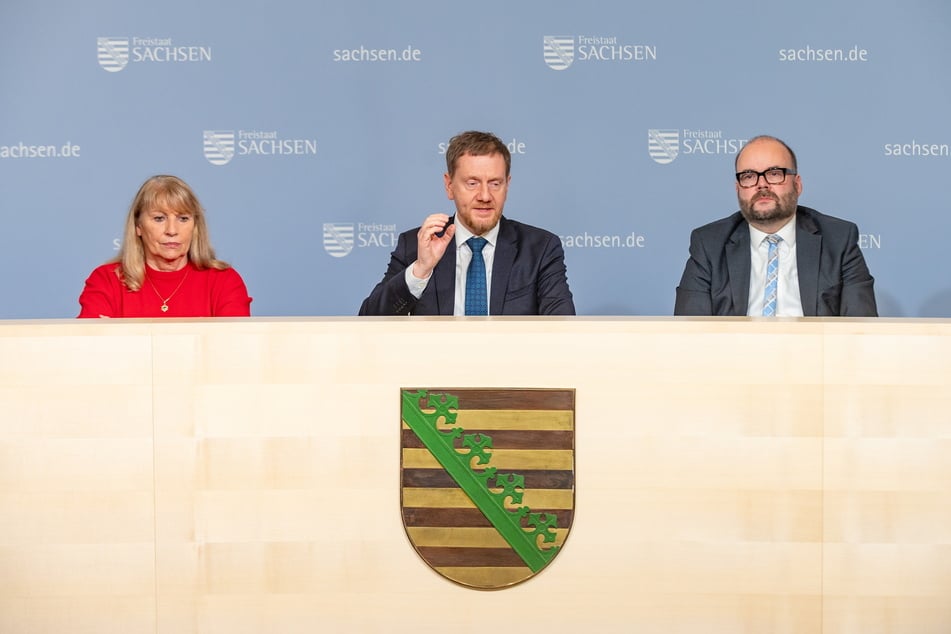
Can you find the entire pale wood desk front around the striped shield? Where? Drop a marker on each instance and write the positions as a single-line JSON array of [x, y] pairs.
[[232, 476]]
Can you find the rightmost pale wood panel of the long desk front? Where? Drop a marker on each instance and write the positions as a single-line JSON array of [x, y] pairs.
[[887, 464]]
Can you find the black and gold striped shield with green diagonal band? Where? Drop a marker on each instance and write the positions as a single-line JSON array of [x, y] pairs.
[[487, 480]]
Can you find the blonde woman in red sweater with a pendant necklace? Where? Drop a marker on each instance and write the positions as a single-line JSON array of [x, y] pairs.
[[166, 266]]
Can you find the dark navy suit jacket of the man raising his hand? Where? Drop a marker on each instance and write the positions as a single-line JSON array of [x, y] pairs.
[[528, 277]]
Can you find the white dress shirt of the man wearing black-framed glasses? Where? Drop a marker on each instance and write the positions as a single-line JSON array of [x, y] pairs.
[[788, 301]]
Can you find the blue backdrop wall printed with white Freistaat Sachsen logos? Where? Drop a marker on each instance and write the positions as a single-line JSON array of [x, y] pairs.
[[313, 132]]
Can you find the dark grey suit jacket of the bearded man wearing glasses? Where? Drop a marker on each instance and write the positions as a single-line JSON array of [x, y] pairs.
[[833, 277]]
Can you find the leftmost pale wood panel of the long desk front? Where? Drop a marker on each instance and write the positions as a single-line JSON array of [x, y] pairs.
[[77, 513]]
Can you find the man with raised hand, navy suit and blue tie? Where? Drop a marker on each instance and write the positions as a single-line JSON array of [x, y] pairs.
[[520, 269]]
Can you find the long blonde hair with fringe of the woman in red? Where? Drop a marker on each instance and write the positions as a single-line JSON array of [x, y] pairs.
[[173, 195]]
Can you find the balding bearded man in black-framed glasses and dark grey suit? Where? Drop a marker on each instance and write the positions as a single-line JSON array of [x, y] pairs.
[[774, 257]]
